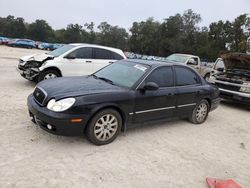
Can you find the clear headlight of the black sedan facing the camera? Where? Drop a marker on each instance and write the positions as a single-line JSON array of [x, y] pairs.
[[61, 105]]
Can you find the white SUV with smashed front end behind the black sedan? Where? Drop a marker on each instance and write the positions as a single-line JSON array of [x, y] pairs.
[[69, 60]]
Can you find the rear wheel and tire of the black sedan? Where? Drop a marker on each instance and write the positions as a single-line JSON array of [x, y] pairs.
[[200, 112]]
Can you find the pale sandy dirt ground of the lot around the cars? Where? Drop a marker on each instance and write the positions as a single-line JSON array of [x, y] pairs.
[[172, 155]]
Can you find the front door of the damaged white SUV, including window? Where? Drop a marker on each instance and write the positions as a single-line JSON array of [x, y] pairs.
[[78, 63]]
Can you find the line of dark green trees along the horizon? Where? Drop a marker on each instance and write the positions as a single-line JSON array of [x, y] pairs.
[[176, 34]]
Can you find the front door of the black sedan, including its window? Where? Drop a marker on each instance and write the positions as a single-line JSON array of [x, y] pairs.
[[159, 104]]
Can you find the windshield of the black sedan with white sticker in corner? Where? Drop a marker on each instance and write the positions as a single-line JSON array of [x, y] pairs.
[[124, 74]]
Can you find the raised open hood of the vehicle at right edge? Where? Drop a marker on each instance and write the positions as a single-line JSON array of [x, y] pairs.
[[236, 61]]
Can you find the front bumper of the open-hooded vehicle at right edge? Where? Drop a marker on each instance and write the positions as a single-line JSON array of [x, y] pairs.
[[235, 96]]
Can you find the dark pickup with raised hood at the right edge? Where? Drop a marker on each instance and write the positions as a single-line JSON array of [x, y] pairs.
[[234, 81]]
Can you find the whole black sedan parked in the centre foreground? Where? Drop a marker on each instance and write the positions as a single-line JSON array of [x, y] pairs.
[[120, 96]]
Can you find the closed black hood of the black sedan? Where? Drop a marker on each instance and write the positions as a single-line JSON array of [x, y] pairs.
[[76, 86]]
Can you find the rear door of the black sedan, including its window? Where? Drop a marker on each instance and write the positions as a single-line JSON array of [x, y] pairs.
[[188, 85]]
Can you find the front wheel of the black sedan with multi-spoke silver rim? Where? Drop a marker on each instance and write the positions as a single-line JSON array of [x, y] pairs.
[[104, 127]]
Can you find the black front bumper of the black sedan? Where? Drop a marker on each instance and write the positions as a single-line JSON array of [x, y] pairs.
[[60, 122]]
